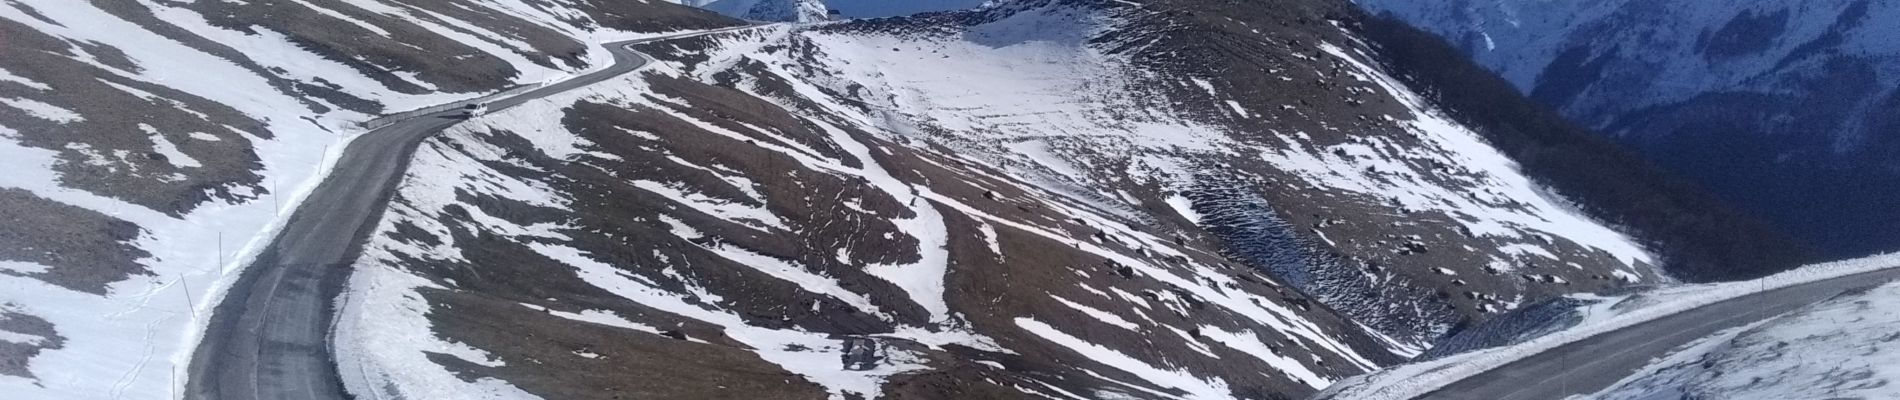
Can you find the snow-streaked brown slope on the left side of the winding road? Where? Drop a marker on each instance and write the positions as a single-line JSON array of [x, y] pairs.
[[149, 147]]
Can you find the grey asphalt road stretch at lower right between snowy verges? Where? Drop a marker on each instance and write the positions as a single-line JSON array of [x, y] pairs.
[[1601, 361]]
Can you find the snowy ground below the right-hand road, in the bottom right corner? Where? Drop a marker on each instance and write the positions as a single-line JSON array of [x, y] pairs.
[[1833, 350]]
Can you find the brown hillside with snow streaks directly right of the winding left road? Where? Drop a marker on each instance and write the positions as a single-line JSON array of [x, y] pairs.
[[670, 238]]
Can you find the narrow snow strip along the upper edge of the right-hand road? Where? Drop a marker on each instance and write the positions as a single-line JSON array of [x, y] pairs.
[[1416, 380]]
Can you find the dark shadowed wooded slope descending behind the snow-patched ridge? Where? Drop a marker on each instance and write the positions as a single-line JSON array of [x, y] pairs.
[[1700, 236]]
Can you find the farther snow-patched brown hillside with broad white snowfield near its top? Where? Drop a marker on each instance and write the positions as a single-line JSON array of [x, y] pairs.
[[1352, 209]]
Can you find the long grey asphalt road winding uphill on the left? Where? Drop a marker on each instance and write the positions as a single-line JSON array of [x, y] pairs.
[[271, 335]]
